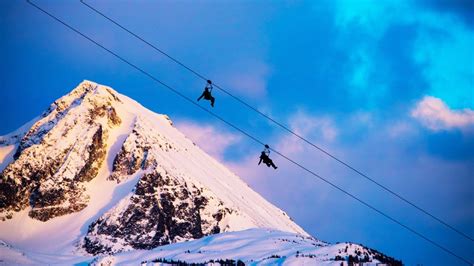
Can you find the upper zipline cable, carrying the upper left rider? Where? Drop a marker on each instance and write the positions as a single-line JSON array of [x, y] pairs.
[[283, 126]]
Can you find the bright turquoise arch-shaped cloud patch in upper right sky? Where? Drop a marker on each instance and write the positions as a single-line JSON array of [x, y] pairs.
[[441, 49]]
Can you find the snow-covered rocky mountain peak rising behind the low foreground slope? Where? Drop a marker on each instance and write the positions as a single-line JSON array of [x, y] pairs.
[[97, 173]]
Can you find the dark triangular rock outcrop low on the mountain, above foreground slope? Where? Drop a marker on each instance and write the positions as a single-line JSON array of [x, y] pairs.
[[162, 208]]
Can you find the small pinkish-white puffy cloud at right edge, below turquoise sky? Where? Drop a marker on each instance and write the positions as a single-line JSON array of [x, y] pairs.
[[434, 114]]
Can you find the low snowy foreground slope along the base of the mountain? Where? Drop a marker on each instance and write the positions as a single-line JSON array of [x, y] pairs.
[[253, 247]]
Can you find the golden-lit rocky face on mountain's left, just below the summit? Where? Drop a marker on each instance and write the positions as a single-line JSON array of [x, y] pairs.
[[61, 151]]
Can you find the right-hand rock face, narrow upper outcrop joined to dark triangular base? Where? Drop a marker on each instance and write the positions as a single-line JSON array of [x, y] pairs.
[[164, 207]]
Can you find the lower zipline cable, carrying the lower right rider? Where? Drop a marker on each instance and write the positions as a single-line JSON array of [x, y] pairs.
[[247, 134]]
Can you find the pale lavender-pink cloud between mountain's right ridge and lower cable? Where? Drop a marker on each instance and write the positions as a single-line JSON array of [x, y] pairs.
[[209, 138]]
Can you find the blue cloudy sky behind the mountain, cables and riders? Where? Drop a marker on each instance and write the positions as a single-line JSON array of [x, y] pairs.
[[388, 87]]
